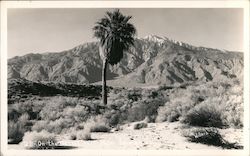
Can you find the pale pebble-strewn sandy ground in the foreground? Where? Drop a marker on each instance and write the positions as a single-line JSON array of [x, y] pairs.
[[155, 136]]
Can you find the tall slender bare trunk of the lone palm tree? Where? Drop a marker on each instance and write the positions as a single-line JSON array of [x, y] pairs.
[[104, 87]]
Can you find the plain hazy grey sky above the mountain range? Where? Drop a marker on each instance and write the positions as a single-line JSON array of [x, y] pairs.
[[54, 30]]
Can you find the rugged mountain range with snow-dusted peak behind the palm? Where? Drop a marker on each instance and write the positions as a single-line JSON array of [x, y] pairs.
[[153, 60]]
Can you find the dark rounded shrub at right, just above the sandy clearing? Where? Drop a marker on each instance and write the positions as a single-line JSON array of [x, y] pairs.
[[206, 114]]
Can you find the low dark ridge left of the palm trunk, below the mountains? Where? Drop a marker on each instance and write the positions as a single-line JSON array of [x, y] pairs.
[[19, 89]]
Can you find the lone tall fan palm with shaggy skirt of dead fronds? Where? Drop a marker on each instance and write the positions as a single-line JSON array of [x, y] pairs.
[[115, 35]]
